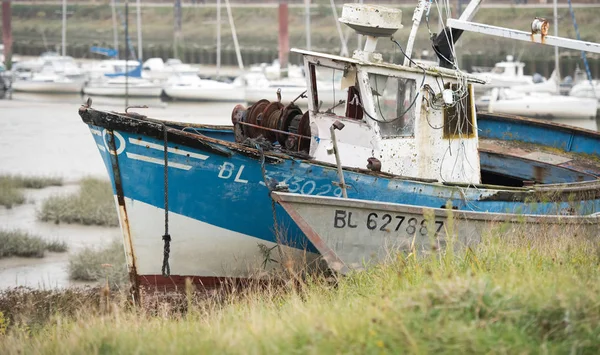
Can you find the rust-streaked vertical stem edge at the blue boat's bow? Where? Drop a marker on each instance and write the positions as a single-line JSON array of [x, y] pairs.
[[124, 219]]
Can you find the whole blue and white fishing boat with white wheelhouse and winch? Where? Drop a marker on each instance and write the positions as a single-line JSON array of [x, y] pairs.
[[194, 204]]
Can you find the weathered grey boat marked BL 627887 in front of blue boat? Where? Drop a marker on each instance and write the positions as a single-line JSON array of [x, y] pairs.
[[353, 234]]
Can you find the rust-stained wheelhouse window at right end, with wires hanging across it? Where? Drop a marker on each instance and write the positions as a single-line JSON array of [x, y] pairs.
[[458, 118]]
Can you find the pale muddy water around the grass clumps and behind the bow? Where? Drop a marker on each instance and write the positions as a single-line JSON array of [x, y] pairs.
[[43, 135]]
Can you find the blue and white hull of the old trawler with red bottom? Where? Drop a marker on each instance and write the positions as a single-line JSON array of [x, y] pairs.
[[222, 219]]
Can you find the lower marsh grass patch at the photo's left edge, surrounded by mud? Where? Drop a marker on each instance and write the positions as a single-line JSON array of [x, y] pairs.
[[19, 243]]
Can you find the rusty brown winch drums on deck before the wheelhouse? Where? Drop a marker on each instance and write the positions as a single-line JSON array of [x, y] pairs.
[[287, 125]]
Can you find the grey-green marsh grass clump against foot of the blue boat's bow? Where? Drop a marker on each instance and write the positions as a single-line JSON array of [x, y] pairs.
[[98, 264]]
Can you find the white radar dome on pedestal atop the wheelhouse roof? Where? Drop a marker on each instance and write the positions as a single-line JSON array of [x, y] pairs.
[[372, 21]]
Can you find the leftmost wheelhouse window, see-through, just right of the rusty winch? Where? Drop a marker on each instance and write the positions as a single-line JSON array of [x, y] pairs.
[[330, 96]]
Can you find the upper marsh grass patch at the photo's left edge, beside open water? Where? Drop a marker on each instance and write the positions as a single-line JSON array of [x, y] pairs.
[[11, 185]]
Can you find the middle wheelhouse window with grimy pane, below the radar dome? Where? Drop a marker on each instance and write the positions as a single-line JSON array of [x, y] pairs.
[[394, 100]]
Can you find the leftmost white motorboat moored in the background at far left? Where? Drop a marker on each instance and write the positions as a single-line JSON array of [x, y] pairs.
[[48, 82]]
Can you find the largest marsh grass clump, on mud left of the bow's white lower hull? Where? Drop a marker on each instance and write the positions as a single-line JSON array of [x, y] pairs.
[[93, 204]]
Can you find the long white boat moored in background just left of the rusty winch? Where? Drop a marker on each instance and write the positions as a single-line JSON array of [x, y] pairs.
[[191, 87]]
